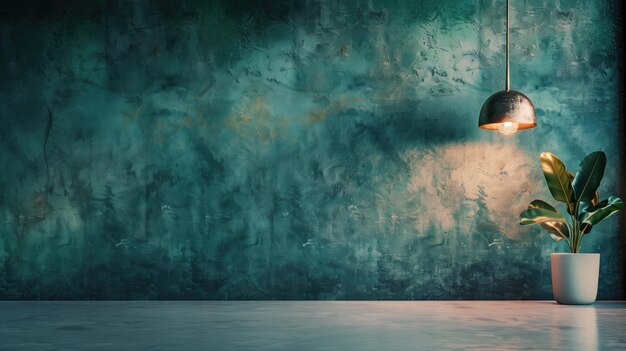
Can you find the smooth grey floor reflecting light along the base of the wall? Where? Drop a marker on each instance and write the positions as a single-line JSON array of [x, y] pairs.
[[305, 325]]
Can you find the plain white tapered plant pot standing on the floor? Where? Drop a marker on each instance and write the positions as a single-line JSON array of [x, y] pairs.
[[575, 277]]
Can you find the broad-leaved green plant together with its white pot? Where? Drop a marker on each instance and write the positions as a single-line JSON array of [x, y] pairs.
[[574, 274]]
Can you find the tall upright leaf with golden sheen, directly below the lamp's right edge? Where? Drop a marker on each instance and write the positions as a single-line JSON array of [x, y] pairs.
[[558, 179]]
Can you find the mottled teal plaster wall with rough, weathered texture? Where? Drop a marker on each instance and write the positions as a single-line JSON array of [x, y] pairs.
[[296, 150]]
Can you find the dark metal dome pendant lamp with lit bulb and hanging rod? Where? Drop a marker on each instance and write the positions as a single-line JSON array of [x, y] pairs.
[[507, 111]]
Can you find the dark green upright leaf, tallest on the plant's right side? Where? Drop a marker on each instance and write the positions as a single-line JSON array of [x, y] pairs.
[[589, 175]]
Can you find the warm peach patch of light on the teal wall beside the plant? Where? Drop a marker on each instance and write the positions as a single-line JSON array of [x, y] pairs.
[[482, 185]]
